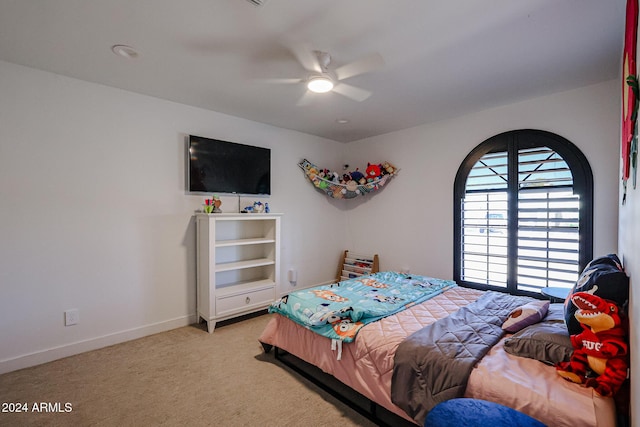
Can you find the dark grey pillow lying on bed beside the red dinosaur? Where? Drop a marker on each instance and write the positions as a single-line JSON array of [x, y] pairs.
[[547, 341]]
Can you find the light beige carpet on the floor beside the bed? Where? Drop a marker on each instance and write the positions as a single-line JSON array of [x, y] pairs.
[[184, 377]]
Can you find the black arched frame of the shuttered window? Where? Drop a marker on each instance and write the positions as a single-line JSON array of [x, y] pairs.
[[512, 142]]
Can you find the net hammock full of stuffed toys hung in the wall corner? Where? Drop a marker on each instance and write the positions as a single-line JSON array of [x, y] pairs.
[[350, 184]]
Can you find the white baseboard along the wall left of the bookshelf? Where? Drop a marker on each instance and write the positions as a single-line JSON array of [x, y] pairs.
[[51, 354]]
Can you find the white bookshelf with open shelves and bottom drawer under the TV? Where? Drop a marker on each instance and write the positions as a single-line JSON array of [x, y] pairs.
[[238, 264]]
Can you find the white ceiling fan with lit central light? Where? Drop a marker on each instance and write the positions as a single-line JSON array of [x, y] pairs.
[[322, 79]]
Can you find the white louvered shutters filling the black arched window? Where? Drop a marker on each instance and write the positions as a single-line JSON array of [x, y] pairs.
[[534, 240]]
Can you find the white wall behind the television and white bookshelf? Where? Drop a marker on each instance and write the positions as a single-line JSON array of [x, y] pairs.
[[94, 215]]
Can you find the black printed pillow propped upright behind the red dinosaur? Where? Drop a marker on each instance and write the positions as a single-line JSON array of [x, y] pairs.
[[603, 277]]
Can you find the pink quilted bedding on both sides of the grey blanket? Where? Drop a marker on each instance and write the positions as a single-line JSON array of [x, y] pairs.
[[530, 386]]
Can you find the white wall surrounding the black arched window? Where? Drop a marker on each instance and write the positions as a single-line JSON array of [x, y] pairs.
[[410, 221]]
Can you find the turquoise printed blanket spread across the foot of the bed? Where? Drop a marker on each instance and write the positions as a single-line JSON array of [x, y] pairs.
[[339, 310]]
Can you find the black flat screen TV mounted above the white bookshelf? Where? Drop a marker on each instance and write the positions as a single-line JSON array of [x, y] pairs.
[[217, 166]]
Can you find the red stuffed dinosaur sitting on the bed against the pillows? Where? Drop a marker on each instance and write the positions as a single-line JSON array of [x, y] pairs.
[[601, 347]]
